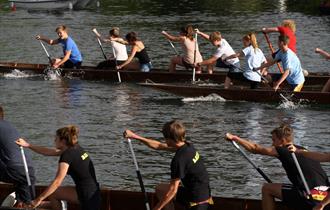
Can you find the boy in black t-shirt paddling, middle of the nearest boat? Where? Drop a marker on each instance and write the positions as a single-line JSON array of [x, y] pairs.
[[187, 167]]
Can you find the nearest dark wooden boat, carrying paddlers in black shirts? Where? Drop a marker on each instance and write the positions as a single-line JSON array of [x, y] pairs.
[[128, 200]]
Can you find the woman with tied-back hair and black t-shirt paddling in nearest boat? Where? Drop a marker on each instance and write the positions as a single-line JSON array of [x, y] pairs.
[[74, 161]]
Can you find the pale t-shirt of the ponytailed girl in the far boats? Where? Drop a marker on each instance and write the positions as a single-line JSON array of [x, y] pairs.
[[254, 58]]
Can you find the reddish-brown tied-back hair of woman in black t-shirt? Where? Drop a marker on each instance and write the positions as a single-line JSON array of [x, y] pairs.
[[69, 134]]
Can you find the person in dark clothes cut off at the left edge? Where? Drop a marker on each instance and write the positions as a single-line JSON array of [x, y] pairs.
[[11, 163]]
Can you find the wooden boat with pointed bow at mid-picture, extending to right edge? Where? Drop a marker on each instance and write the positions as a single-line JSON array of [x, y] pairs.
[[242, 94]]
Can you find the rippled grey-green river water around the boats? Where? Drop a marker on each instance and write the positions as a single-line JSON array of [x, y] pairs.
[[103, 110]]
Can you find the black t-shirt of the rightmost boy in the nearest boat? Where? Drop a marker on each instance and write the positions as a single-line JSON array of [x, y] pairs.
[[312, 170]]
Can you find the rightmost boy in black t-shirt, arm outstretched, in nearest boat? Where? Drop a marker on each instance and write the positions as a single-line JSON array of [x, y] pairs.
[[293, 195]]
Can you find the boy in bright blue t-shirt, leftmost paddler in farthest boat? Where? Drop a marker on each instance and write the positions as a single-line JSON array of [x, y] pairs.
[[72, 56]]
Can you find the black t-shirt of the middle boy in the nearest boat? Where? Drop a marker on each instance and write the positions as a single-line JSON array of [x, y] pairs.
[[188, 166]]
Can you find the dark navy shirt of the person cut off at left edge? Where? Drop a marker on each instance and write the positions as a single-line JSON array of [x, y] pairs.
[[10, 153]]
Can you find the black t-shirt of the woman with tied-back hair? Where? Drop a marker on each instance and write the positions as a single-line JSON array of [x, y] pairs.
[[81, 170]]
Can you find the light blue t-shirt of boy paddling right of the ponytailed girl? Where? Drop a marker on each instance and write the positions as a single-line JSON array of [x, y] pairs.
[[291, 62]]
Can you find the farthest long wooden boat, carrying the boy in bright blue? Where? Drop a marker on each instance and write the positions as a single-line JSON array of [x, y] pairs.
[[155, 75]]
